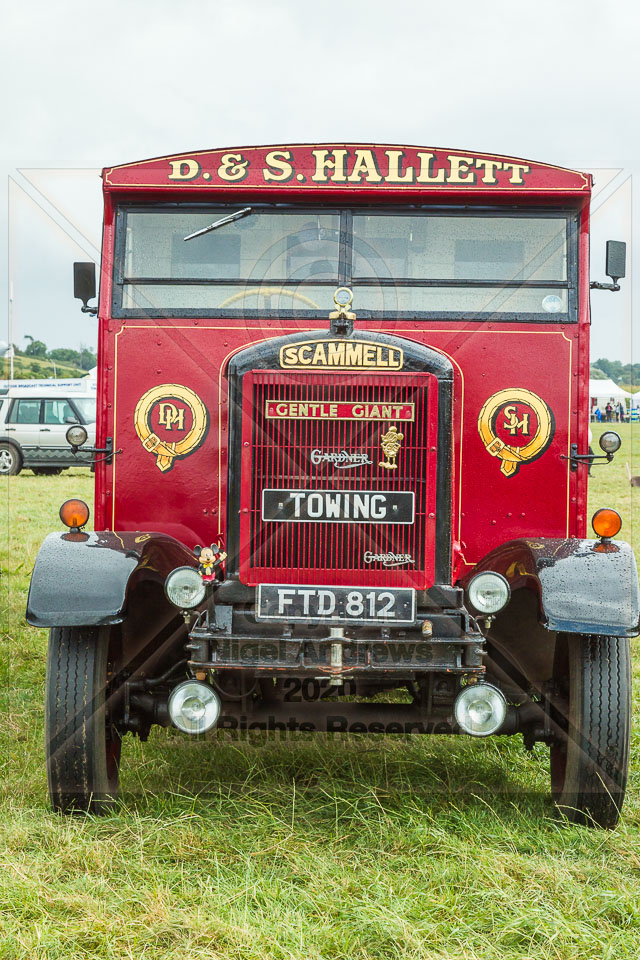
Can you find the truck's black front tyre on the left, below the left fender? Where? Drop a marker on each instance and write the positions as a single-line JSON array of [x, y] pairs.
[[81, 740]]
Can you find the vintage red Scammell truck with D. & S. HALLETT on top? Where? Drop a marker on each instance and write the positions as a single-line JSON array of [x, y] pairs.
[[342, 451]]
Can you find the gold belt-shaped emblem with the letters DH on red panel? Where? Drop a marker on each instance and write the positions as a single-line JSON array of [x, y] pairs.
[[171, 422]]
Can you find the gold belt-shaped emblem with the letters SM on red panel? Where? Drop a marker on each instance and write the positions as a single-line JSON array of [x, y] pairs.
[[517, 426]]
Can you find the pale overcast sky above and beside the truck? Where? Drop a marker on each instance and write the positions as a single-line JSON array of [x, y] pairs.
[[88, 85]]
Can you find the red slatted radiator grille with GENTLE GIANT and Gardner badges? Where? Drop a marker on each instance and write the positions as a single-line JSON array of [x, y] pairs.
[[278, 453]]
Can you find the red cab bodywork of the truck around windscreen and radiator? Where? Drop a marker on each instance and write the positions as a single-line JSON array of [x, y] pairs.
[[520, 363]]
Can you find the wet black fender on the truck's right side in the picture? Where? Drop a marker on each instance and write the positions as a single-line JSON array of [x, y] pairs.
[[581, 586]]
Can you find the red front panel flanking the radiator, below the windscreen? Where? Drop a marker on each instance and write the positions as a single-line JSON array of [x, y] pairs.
[[543, 498]]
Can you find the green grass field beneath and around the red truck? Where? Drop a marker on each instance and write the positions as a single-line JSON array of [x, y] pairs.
[[317, 847]]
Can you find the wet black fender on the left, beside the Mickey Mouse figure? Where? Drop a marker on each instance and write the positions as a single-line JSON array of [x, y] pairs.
[[96, 579]]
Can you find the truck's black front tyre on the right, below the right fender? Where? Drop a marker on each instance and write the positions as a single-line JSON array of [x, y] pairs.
[[591, 716]]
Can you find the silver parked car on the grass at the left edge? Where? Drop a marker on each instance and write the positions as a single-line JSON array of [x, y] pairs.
[[33, 427]]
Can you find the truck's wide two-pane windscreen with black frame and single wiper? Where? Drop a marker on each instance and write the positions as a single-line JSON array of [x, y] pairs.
[[399, 263]]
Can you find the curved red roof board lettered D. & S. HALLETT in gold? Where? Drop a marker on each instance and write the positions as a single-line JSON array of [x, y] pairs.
[[430, 173]]
